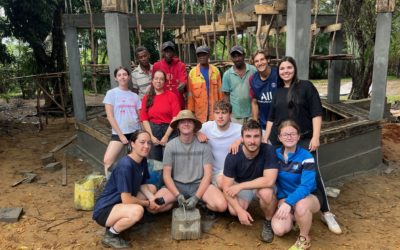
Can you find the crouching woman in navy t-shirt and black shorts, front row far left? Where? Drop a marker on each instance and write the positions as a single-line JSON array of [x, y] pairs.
[[121, 203]]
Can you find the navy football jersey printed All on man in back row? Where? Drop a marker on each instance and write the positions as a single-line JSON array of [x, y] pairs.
[[262, 91]]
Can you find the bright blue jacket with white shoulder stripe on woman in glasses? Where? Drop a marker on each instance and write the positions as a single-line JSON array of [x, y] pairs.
[[296, 176]]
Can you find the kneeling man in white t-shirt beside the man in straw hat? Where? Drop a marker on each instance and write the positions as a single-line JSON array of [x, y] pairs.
[[220, 135]]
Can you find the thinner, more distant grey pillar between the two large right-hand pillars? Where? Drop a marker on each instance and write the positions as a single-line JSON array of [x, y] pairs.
[[335, 68]]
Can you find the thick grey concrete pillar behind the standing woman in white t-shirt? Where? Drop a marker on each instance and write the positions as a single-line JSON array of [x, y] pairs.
[[117, 34]]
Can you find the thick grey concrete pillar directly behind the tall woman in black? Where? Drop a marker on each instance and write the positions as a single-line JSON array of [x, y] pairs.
[[298, 34]]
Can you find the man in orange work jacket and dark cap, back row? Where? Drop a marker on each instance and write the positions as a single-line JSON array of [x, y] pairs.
[[204, 86]]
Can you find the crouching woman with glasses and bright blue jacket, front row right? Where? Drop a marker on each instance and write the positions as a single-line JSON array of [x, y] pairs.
[[296, 185]]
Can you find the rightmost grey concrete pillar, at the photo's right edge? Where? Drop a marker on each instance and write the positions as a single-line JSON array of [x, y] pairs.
[[379, 74]]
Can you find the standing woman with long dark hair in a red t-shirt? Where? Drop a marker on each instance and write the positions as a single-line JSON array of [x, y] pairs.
[[159, 107]]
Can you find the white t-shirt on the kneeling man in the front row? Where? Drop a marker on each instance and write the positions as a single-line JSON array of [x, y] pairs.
[[220, 142]]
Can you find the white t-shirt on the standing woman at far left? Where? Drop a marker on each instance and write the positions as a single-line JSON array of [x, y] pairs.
[[126, 106]]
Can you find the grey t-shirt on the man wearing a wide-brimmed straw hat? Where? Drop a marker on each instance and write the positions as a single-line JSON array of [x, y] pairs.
[[187, 160]]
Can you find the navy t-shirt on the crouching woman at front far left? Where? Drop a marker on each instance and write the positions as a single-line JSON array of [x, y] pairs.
[[126, 177]]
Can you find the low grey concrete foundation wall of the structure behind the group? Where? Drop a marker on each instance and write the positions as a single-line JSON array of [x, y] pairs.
[[350, 143]]
